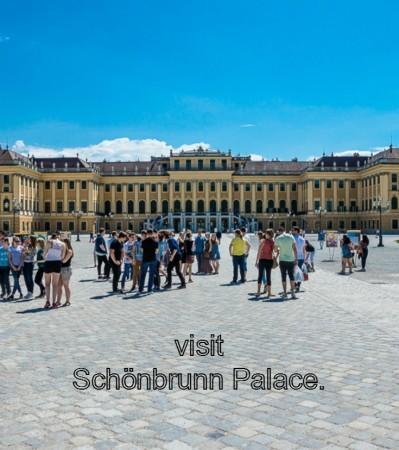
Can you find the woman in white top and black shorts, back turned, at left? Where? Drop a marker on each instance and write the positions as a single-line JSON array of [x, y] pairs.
[[54, 254]]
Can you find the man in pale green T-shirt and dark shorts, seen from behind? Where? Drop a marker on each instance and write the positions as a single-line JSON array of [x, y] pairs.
[[285, 247]]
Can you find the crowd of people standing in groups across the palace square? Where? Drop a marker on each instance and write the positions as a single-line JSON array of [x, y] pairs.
[[139, 261]]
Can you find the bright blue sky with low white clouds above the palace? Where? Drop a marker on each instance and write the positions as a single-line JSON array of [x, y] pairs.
[[276, 79]]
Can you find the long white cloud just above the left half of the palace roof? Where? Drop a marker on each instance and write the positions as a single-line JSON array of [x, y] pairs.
[[120, 149]]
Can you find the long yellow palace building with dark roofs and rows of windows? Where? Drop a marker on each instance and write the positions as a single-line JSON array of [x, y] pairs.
[[199, 189]]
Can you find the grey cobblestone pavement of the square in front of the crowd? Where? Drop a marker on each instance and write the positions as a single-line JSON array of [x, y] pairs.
[[341, 328]]
